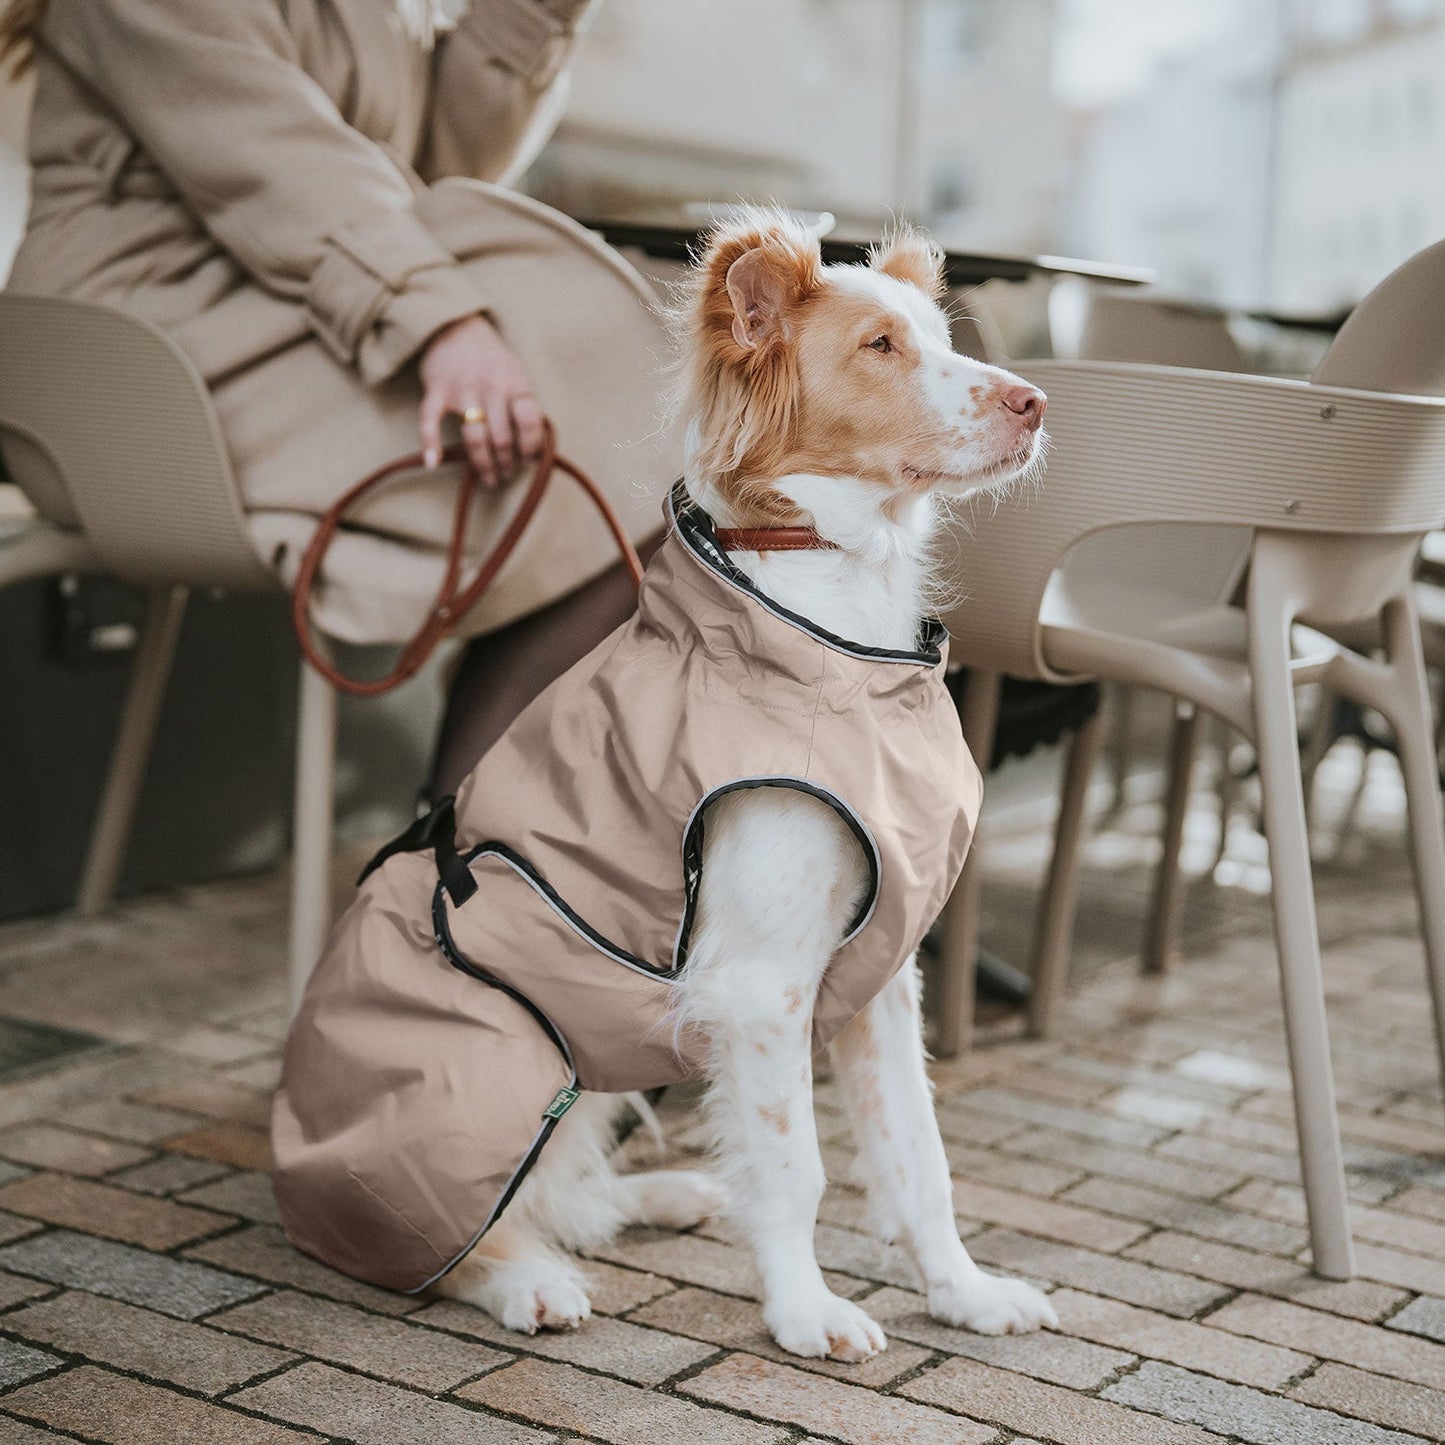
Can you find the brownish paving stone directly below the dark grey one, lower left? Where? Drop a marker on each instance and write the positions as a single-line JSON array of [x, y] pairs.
[[145, 1343]]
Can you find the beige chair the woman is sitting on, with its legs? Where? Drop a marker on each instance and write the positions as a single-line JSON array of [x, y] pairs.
[[124, 420]]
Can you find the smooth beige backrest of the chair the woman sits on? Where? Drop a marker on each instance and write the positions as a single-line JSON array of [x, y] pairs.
[[125, 420]]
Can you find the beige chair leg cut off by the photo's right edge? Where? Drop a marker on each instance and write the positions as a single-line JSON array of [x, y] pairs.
[[1412, 725]]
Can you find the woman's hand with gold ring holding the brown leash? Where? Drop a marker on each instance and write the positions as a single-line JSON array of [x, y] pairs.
[[467, 368]]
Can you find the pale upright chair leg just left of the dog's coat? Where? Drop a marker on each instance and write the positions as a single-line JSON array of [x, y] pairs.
[[314, 810]]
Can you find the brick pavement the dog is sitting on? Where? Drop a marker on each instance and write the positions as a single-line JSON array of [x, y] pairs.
[[1141, 1165]]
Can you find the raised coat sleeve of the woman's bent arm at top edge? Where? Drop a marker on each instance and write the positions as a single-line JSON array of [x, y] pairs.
[[498, 79]]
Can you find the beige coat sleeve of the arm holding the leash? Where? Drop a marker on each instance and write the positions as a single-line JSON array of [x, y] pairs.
[[216, 96]]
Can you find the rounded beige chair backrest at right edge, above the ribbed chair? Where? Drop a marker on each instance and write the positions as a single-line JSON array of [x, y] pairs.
[[1395, 339]]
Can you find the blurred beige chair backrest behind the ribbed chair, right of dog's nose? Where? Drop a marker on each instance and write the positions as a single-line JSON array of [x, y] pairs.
[[1141, 326]]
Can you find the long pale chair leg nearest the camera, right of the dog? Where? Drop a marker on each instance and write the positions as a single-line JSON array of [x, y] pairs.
[[1297, 936]]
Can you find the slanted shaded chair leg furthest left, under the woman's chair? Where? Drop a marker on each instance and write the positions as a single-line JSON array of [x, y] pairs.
[[150, 674]]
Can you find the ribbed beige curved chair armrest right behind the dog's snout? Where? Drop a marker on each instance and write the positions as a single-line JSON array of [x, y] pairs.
[[1145, 444]]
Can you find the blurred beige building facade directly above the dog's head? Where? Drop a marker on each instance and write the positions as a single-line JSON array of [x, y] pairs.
[[939, 109]]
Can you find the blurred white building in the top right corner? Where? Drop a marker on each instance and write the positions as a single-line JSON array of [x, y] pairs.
[[1360, 148]]
